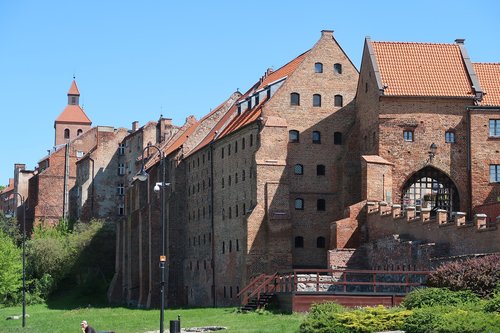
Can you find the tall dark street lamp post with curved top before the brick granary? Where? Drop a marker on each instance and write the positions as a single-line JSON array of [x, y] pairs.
[[142, 175]]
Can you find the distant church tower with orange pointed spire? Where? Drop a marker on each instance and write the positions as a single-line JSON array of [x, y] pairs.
[[72, 121]]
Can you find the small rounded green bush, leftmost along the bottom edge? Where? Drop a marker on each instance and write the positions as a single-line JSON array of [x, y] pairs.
[[323, 318]]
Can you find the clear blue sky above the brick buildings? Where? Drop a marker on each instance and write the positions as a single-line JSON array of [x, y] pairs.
[[135, 60]]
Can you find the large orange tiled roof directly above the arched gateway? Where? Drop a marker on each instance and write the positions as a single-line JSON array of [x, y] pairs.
[[422, 69]]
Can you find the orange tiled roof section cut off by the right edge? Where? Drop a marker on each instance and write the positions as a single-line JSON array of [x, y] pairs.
[[489, 79]]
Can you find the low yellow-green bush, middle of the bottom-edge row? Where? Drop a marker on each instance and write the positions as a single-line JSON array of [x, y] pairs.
[[374, 319]]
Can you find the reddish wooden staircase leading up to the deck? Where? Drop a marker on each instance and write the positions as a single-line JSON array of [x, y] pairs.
[[258, 293]]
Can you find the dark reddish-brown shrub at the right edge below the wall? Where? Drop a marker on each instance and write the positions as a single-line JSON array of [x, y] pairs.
[[481, 275]]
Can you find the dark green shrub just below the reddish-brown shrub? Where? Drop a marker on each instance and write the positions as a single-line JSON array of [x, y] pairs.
[[425, 297]]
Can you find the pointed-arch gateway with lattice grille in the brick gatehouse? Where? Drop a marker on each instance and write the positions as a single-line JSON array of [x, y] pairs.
[[431, 188]]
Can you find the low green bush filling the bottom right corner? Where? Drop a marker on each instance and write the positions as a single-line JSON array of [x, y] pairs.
[[444, 319]]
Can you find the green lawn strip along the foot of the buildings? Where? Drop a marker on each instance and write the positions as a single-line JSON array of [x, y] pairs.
[[65, 315]]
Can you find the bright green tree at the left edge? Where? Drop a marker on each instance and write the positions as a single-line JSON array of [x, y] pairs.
[[10, 268]]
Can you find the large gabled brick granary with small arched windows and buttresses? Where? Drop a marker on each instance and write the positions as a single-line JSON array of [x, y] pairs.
[[251, 188]]
